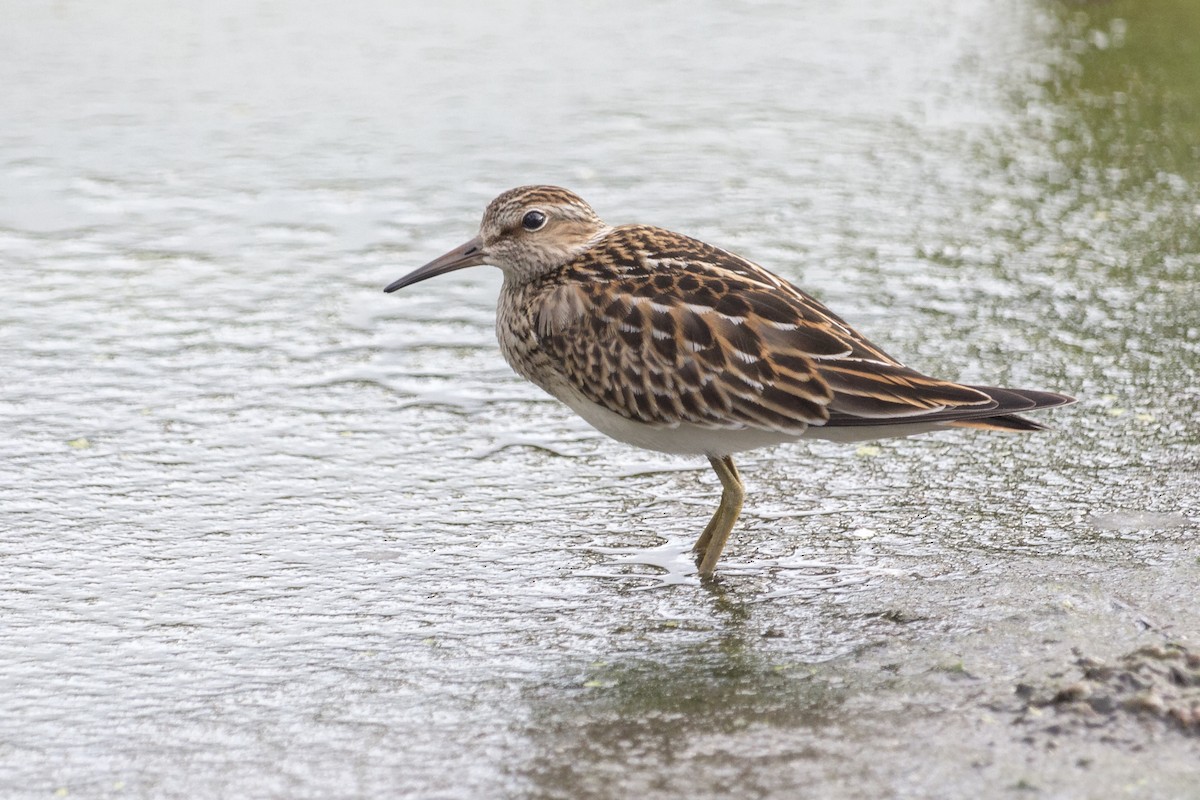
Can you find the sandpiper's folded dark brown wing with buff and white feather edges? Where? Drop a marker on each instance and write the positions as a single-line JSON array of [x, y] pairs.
[[682, 332]]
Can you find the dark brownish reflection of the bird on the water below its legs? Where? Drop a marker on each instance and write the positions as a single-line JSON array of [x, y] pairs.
[[665, 720]]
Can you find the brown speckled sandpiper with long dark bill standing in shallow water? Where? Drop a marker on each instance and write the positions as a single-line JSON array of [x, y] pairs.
[[668, 344]]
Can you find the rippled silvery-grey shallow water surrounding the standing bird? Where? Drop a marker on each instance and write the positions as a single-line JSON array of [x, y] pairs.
[[267, 532]]
